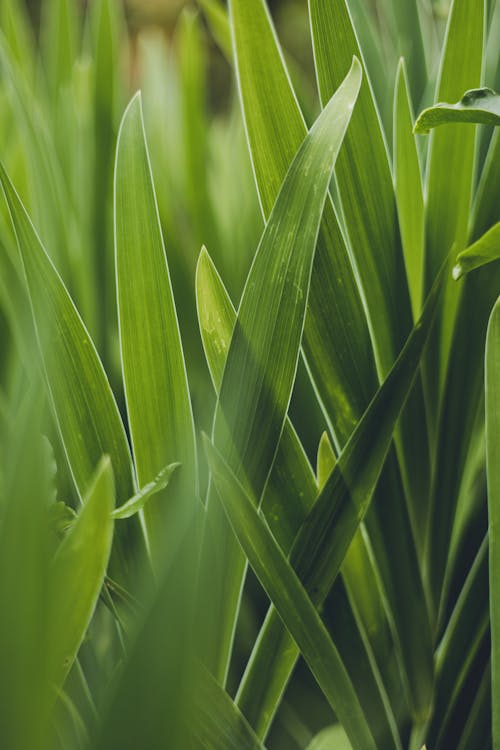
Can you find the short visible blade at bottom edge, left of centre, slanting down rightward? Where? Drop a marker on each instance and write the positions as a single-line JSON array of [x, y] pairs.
[[217, 722]]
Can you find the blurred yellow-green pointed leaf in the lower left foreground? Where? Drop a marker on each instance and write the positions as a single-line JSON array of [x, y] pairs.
[[77, 573]]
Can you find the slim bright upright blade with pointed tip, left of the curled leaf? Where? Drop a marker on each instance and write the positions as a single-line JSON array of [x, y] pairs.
[[409, 190]]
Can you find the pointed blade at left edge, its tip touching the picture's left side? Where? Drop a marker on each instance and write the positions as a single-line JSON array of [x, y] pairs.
[[86, 412]]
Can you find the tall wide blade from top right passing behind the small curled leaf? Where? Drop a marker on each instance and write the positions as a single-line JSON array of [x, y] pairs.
[[449, 188]]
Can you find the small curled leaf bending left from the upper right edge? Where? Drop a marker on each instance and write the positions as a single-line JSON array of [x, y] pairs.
[[481, 106]]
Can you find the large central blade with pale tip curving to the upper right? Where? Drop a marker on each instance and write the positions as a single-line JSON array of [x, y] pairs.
[[263, 353]]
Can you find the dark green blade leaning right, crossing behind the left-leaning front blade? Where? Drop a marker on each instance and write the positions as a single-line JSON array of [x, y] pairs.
[[322, 542]]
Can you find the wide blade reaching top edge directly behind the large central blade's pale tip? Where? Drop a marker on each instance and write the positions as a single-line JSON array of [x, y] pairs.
[[365, 188]]
